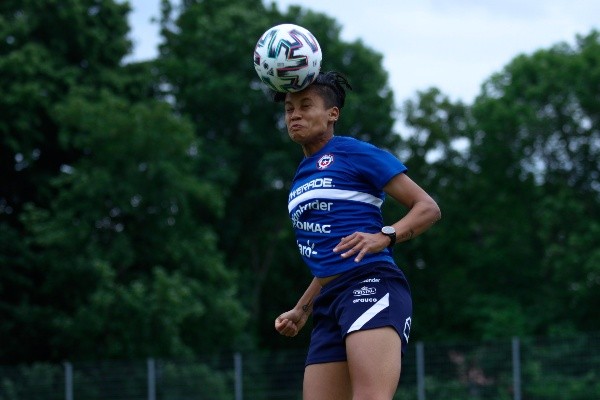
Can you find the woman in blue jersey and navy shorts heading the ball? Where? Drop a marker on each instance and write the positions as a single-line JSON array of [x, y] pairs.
[[359, 299]]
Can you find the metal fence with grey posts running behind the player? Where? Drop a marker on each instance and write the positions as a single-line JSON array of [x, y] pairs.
[[514, 369]]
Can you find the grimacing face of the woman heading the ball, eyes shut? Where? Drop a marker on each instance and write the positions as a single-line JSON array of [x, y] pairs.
[[307, 118]]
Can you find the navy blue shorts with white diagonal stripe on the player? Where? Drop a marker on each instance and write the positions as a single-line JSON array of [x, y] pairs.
[[367, 297]]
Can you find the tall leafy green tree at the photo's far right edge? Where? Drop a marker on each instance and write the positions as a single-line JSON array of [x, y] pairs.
[[539, 125]]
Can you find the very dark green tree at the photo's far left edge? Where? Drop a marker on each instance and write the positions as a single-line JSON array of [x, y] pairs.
[[49, 49]]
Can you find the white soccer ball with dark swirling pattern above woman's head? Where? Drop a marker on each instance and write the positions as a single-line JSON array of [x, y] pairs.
[[287, 58]]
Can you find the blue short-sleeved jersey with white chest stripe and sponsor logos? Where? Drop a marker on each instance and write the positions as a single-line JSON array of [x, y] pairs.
[[336, 192]]
